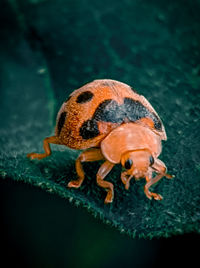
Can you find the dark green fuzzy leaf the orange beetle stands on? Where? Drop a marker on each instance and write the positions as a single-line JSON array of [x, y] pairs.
[[51, 48]]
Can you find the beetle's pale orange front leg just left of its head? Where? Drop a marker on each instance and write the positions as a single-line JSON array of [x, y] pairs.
[[101, 174]]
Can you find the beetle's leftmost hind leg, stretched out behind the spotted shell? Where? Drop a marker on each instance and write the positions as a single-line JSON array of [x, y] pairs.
[[47, 149]]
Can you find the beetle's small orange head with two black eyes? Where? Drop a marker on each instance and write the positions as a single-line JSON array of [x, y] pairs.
[[137, 162]]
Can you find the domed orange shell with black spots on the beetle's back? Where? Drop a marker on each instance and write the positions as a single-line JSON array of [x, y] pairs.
[[94, 110]]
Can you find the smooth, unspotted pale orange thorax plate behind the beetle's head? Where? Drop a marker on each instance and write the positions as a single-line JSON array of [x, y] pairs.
[[130, 137]]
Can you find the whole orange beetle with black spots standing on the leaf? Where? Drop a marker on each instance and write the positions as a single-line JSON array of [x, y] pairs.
[[113, 123]]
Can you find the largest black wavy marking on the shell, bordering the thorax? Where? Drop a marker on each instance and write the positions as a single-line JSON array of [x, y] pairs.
[[110, 111]]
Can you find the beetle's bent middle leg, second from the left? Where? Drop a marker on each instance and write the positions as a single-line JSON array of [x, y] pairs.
[[86, 156]]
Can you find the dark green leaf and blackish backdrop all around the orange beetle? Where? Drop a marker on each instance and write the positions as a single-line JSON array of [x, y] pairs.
[[48, 49]]
